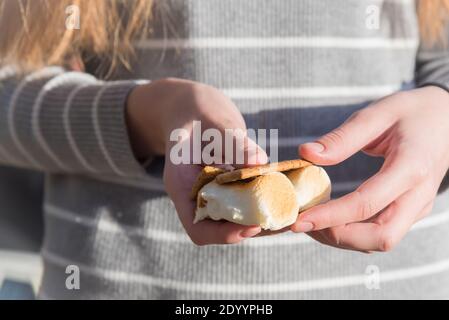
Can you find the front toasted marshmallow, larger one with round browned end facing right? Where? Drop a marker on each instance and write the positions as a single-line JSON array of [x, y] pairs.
[[268, 200]]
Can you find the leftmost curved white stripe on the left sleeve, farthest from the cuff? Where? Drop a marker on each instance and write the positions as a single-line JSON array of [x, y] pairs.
[[47, 72]]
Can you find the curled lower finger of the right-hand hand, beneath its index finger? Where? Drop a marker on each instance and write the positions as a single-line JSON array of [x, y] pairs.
[[385, 231]]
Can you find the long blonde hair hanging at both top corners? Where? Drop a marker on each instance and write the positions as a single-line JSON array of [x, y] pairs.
[[39, 37]]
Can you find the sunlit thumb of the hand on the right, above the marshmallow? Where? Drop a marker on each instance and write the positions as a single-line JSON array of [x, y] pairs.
[[353, 135]]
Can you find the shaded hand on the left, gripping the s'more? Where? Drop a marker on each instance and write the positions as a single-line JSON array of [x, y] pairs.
[[154, 110]]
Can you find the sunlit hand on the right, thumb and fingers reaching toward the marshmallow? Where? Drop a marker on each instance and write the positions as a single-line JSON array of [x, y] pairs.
[[411, 131]]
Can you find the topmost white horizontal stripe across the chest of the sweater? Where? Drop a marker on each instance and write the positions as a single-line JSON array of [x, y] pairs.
[[279, 42]]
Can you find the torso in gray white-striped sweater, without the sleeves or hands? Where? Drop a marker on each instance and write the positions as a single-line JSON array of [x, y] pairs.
[[298, 66]]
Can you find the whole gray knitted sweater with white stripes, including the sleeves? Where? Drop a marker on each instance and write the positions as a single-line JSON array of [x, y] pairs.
[[300, 66]]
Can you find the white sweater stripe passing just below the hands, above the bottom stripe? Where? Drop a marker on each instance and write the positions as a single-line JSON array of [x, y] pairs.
[[170, 236]]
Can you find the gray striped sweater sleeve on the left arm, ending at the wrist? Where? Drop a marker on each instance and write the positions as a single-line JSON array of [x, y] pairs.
[[65, 122]]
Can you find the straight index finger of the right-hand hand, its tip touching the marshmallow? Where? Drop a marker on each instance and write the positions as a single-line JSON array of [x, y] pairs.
[[398, 175]]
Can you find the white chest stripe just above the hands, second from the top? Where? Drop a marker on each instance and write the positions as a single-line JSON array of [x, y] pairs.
[[310, 92]]
